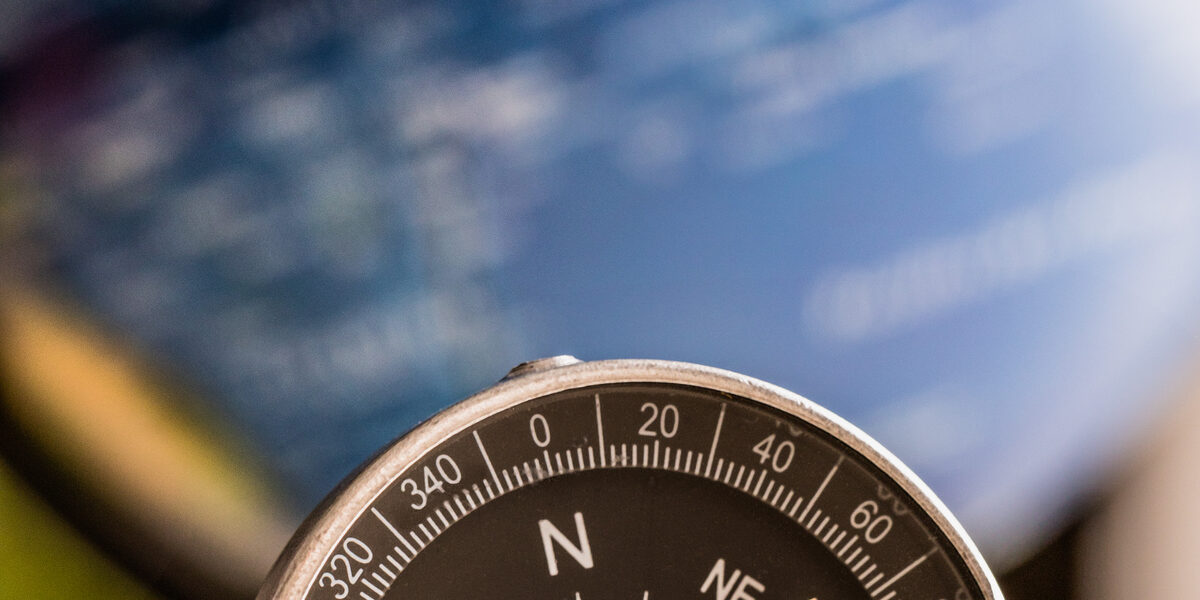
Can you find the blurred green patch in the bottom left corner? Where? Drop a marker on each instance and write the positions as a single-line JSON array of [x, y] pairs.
[[43, 557]]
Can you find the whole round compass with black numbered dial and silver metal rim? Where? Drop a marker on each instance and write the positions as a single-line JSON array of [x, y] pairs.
[[633, 481]]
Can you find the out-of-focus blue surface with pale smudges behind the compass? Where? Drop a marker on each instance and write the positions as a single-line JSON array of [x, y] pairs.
[[968, 227]]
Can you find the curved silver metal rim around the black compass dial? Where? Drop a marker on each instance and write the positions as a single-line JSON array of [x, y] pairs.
[[298, 566]]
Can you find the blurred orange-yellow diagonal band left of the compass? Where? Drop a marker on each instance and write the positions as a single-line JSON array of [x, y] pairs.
[[100, 411]]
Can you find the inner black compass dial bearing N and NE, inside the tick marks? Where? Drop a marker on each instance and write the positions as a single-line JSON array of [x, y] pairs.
[[640, 544]]
